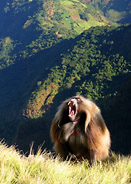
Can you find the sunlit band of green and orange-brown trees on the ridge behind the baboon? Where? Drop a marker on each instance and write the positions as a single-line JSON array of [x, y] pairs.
[[89, 68]]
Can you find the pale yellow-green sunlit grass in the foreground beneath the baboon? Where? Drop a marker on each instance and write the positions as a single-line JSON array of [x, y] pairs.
[[40, 169]]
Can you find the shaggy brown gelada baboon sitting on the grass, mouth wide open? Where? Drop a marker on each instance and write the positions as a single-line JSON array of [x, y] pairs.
[[79, 129]]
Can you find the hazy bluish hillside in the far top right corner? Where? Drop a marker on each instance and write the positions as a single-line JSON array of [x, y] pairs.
[[113, 10]]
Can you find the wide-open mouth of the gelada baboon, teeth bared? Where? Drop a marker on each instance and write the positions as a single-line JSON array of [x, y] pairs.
[[72, 108]]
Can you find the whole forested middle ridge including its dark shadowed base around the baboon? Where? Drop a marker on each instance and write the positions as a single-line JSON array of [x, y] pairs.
[[95, 66]]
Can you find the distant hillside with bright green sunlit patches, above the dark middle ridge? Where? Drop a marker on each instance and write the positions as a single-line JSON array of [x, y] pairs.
[[29, 26]]
